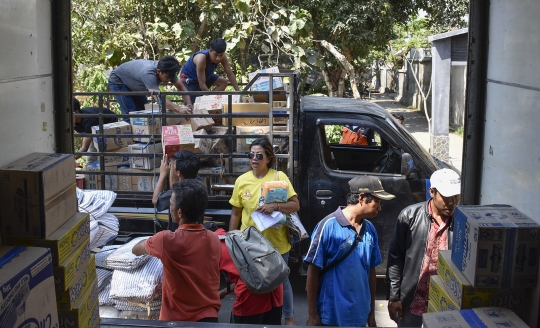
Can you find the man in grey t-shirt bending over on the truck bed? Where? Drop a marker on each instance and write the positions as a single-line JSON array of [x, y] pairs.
[[146, 75]]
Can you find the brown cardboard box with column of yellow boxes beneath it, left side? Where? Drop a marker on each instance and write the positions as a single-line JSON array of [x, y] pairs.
[[42, 211]]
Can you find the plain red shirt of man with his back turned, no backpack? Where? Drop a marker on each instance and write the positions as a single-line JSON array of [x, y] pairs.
[[190, 258]]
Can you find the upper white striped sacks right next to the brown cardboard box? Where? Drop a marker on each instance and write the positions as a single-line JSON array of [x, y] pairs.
[[103, 226]]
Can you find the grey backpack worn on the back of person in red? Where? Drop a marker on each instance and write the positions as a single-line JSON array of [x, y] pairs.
[[260, 265]]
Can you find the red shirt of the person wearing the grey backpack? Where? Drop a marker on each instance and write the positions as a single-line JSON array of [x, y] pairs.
[[246, 303]]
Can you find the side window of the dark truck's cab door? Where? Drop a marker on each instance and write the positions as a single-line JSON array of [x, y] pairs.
[[352, 147]]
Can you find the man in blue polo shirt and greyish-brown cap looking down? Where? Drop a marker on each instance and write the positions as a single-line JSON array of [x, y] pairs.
[[343, 294]]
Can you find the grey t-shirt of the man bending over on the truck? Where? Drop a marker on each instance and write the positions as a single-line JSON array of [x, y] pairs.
[[137, 75]]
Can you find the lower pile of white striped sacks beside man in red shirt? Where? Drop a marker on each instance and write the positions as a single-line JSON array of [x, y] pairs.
[[129, 282]]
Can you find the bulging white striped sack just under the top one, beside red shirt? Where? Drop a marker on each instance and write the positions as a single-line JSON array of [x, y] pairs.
[[140, 285]]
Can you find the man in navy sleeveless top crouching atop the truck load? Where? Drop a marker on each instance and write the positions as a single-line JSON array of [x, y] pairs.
[[198, 72]]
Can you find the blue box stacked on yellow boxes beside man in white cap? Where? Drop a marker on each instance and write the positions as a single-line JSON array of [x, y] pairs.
[[493, 261]]
